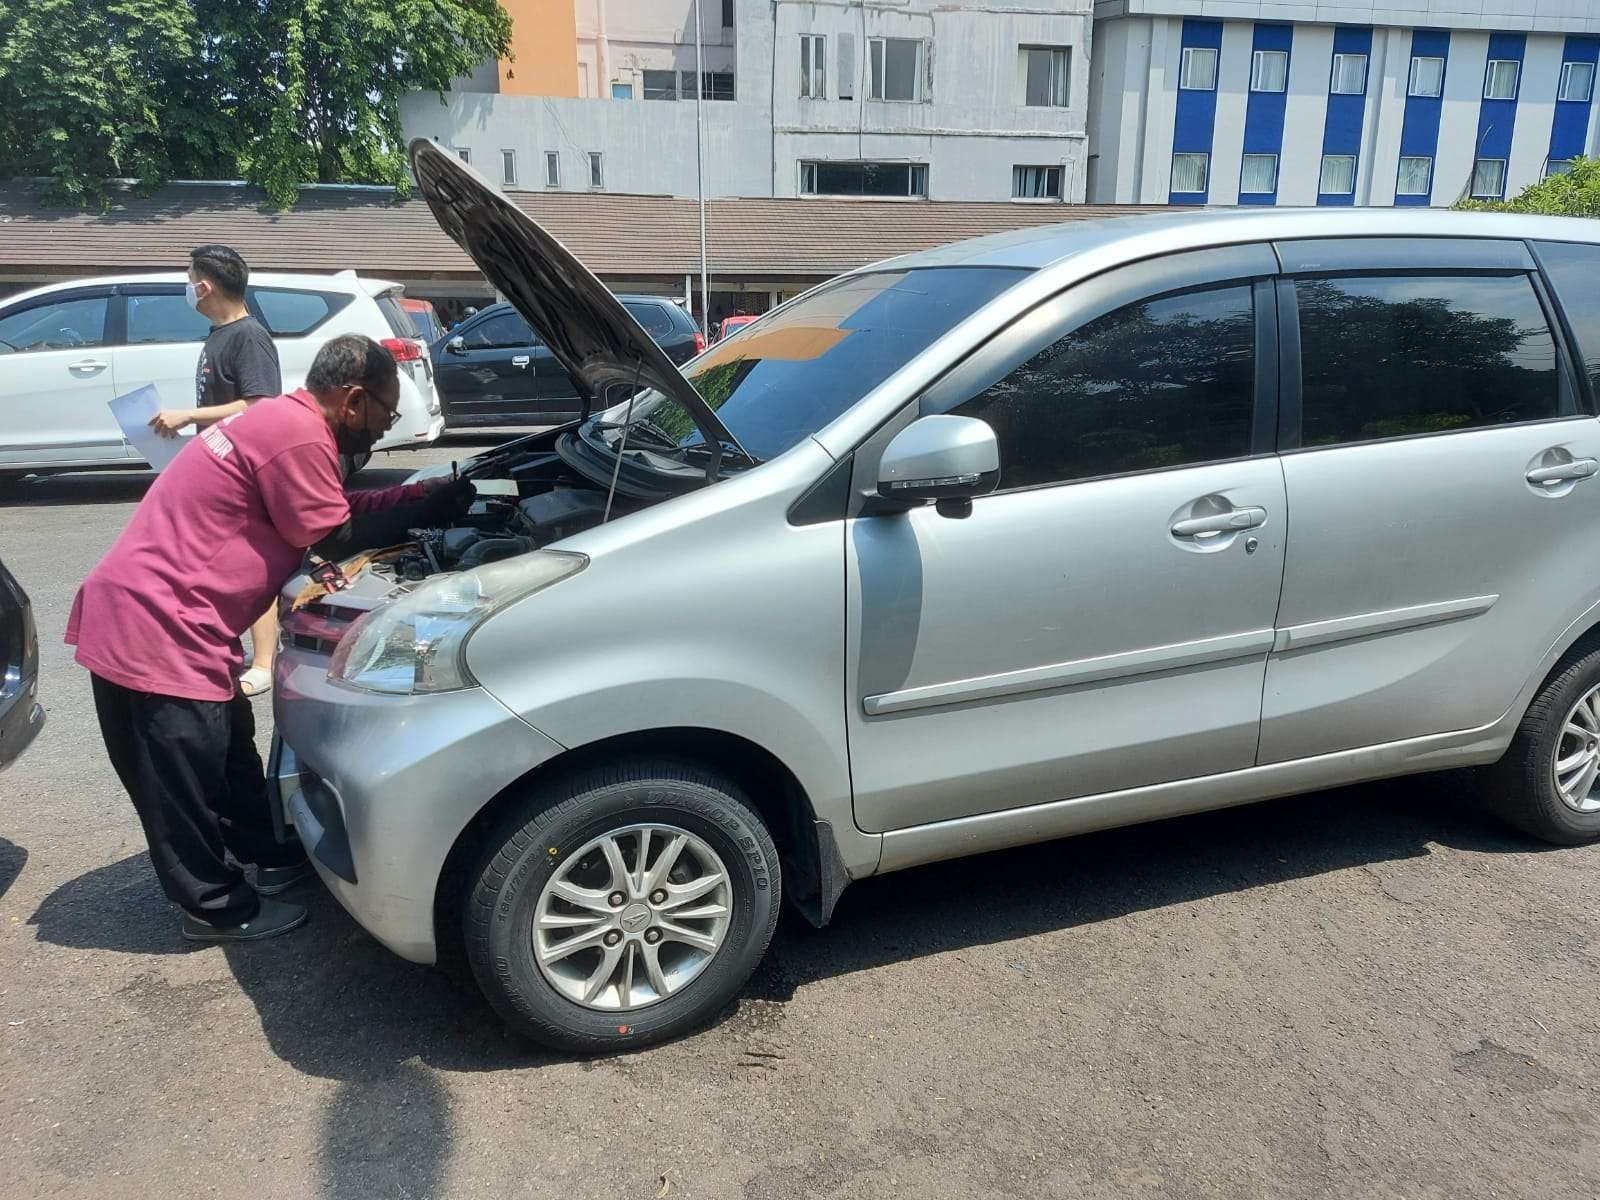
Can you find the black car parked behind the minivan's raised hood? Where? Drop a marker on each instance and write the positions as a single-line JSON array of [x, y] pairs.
[[494, 370]]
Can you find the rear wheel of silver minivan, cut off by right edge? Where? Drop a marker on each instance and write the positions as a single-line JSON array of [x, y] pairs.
[[1550, 782]]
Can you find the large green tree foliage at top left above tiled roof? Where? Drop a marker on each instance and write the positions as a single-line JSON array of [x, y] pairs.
[[278, 92]]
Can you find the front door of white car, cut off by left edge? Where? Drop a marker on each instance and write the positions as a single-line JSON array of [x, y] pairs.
[[57, 380]]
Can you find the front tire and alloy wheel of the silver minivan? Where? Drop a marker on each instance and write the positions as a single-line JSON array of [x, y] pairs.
[[623, 906]]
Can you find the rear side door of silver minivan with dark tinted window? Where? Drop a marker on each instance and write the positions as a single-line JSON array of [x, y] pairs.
[[1441, 465]]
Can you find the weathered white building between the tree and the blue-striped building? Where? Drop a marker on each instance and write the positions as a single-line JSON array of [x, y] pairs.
[[954, 100]]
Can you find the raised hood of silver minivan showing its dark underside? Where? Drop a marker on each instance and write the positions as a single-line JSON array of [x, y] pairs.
[[585, 326]]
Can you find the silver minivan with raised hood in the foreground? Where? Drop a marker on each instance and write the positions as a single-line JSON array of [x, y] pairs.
[[993, 545]]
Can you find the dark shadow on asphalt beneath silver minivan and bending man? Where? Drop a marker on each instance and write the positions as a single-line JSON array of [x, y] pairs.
[[337, 1006]]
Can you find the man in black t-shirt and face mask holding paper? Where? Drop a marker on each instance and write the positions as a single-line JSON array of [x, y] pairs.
[[239, 364]]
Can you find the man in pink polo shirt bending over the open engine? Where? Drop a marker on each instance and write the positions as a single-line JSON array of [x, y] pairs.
[[159, 620]]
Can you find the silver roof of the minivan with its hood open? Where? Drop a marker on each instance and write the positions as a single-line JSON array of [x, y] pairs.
[[1166, 233]]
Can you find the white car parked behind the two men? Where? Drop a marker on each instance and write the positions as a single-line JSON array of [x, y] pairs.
[[68, 350]]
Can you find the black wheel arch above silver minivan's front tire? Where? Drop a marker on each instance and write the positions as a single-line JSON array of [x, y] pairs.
[[812, 868]]
